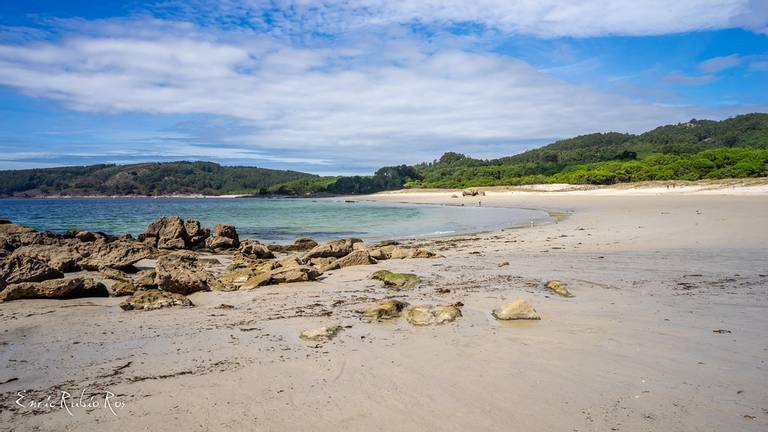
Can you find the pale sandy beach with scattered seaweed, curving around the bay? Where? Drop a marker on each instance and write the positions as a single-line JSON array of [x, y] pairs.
[[666, 332]]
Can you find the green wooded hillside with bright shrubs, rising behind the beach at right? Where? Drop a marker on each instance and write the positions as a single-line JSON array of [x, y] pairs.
[[699, 149]]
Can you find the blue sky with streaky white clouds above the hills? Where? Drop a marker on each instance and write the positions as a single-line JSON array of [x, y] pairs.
[[344, 87]]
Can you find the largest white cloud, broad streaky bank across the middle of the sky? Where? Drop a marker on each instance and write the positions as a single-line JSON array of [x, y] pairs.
[[369, 104]]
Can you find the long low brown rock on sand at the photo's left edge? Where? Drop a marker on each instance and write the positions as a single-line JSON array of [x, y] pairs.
[[54, 289]]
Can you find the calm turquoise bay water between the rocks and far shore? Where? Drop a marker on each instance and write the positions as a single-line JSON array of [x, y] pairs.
[[273, 220]]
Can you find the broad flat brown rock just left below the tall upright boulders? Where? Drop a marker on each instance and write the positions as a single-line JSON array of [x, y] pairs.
[[117, 254]]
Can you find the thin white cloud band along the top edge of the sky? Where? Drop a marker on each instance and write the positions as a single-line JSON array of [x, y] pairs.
[[545, 18]]
